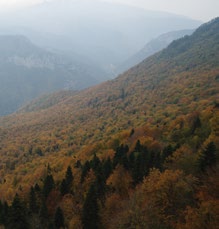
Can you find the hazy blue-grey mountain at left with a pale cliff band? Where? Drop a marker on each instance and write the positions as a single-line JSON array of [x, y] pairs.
[[27, 71]]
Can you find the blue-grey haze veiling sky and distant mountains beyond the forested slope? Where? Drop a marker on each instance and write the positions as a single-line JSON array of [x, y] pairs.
[[52, 45]]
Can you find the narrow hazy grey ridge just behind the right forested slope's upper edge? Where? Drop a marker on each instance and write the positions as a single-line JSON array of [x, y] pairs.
[[152, 47]]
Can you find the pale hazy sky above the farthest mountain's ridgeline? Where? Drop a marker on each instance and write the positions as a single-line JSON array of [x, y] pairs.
[[197, 9]]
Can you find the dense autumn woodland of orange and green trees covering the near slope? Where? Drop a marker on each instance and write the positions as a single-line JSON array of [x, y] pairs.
[[140, 151]]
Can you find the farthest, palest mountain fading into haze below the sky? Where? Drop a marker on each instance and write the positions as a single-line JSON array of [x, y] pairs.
[[104, 32]]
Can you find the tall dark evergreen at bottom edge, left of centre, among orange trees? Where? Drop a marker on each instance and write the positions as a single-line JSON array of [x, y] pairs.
[[90, 216]]
